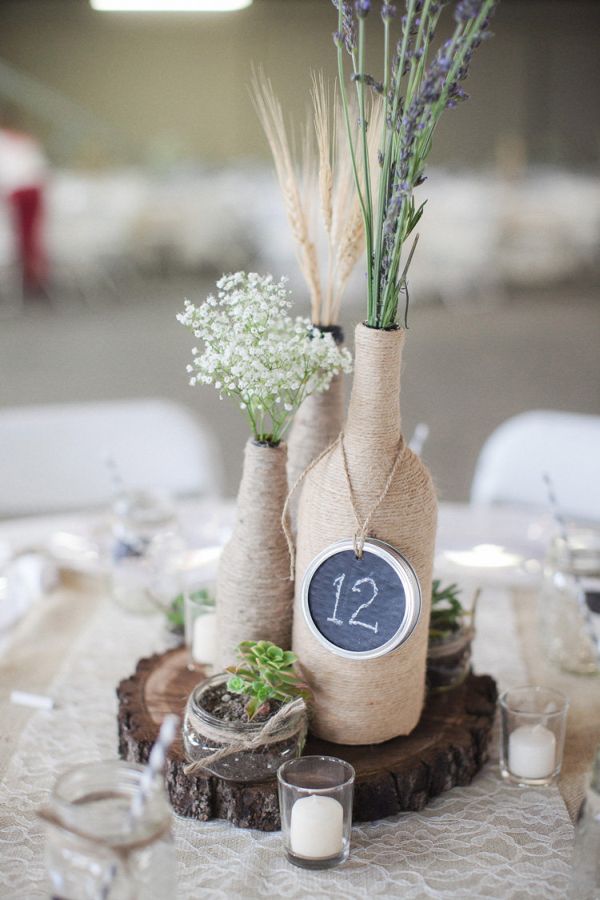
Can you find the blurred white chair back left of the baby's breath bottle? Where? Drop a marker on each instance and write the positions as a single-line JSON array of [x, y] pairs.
[[53, 457]]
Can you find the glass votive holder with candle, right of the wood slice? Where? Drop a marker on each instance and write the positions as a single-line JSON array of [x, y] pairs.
[[532, 734]]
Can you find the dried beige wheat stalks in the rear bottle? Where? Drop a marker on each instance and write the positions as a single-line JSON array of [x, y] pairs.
[[326, 184]]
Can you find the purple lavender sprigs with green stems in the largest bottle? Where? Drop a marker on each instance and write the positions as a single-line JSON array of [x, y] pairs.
[[415, 92]]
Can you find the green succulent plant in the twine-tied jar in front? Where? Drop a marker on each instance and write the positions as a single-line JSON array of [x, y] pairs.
[[265, 673]]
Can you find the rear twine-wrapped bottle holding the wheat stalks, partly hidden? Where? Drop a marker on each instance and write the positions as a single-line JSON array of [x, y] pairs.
[[316, 424]]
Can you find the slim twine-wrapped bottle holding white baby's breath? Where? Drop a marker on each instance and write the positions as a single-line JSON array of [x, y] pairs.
[[254, 593]]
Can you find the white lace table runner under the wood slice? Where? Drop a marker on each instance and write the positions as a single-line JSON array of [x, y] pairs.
[[487, 840]]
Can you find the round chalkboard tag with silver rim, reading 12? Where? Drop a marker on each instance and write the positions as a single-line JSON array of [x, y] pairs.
[[361, 608]]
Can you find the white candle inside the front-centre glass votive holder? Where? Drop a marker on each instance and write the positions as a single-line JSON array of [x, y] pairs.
[[317, 827]]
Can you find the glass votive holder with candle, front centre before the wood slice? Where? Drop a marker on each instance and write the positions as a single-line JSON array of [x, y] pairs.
[[315, 803]]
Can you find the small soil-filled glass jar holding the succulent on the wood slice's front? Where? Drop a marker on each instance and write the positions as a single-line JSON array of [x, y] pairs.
[[204, 734]]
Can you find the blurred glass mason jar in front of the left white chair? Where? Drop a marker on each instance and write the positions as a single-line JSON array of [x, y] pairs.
[[145, 547]]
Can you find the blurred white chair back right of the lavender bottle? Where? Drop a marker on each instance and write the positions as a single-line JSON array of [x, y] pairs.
[[565, 445]]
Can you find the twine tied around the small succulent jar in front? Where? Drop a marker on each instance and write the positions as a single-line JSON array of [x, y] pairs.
[[279, 727]]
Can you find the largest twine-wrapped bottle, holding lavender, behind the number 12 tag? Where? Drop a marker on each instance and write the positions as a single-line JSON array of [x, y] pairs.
[[368, 701]]
